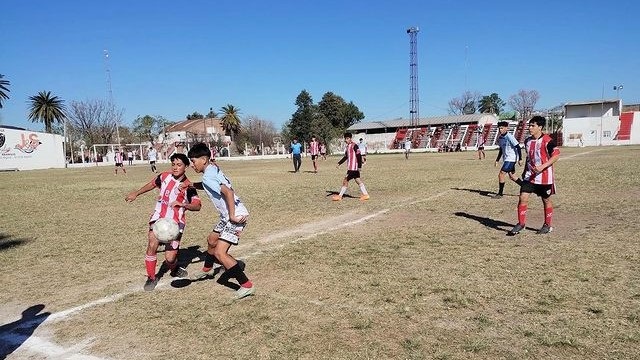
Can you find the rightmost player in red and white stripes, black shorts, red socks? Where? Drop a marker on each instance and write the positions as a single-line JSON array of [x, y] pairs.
[[537, 178]]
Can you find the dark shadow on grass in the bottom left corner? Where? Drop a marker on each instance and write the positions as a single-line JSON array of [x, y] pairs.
[[14, 334]]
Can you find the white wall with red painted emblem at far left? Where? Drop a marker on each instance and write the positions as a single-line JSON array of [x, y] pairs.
[[29, 150]]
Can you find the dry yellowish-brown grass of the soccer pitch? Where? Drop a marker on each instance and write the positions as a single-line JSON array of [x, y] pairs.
[[421, 271]]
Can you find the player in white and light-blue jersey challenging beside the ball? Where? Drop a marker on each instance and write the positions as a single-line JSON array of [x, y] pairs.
[[233, 218]]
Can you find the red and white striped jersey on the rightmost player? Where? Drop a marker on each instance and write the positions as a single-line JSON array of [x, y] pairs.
[[539, 151]]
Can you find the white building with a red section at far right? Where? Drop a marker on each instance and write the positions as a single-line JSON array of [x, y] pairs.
[[600, 122]]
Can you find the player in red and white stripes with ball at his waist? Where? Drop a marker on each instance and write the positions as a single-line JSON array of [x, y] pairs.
[[173, 201]]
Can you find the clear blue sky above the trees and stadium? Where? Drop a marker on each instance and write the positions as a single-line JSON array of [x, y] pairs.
[[172, 58]]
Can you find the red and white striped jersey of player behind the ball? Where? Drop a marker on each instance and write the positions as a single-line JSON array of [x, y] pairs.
[[169, 192]]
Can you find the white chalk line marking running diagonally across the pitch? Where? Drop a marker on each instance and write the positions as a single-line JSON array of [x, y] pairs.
[[38, 345]]
